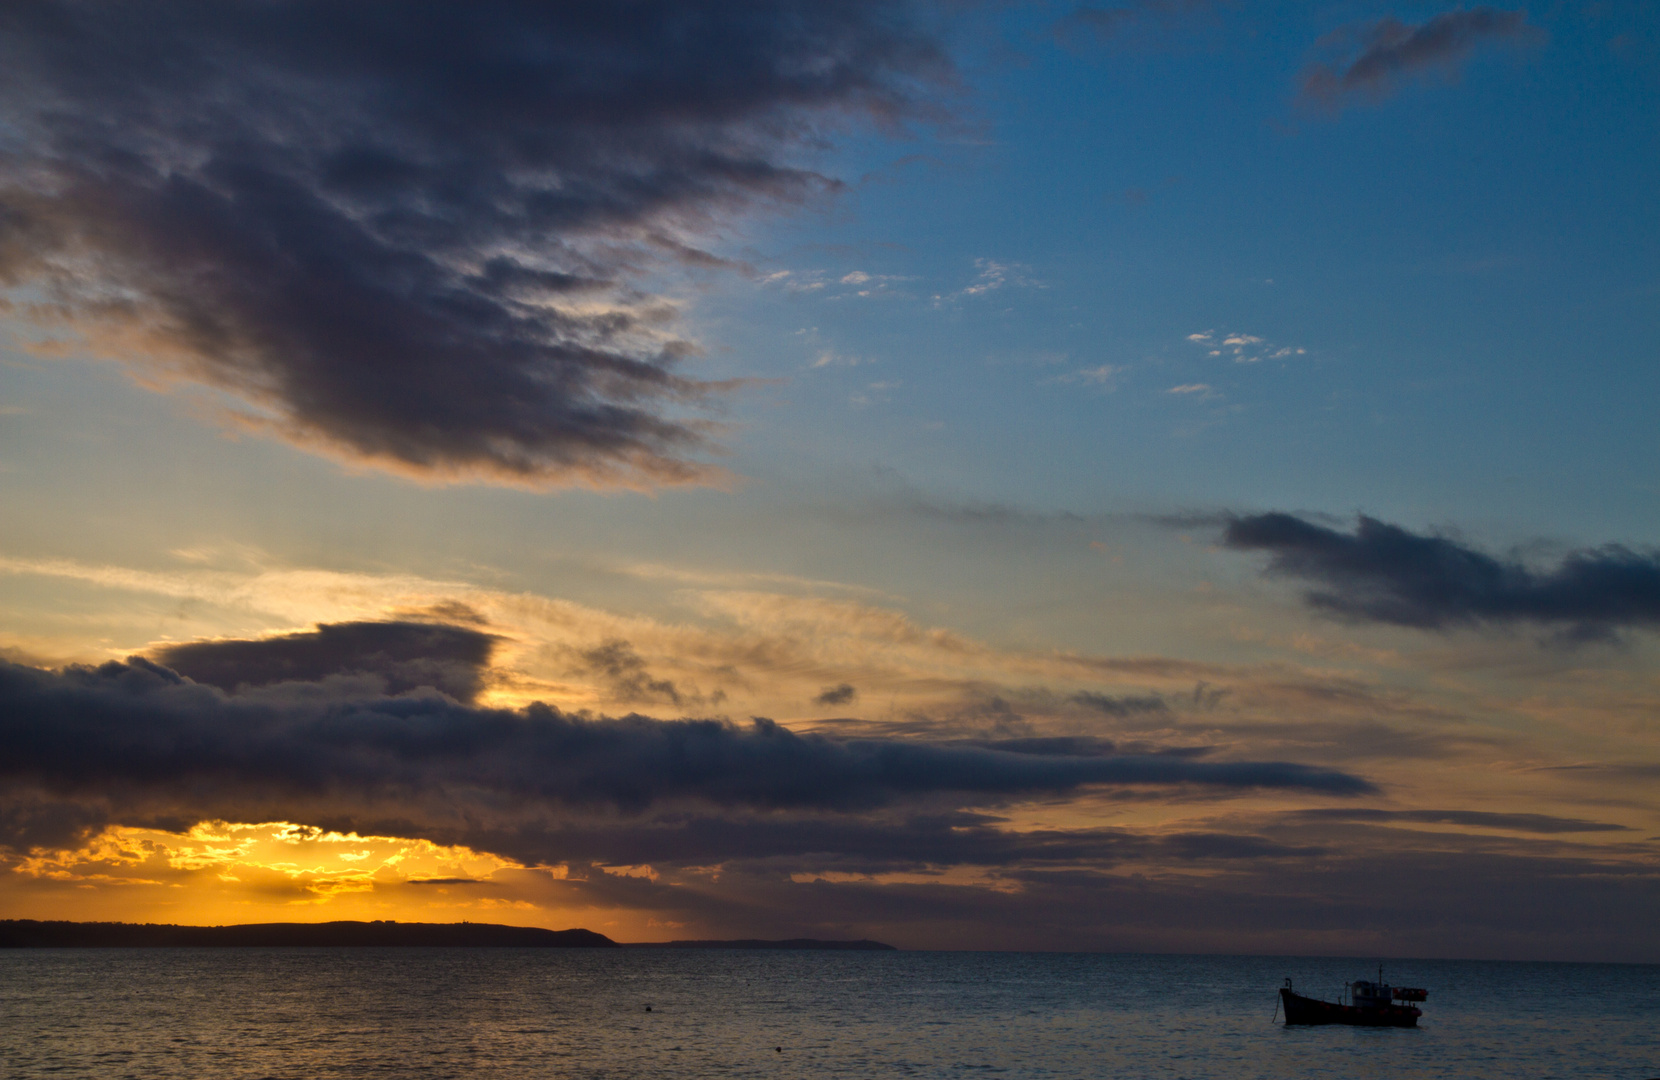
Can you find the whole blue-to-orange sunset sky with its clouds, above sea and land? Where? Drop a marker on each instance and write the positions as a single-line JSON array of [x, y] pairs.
[[1173, 477]]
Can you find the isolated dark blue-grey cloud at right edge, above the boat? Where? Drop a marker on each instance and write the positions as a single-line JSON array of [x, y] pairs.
[[1384, 573]]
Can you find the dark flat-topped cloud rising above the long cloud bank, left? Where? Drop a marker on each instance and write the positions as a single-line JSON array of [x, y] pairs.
[[404, 654]]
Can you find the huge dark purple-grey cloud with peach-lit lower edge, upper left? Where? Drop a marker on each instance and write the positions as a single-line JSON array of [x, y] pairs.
[[406, 233]]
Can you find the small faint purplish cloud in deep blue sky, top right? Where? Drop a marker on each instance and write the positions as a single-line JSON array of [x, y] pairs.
[[1384, 54]]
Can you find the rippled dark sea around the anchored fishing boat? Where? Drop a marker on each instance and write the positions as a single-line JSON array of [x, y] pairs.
[[678, 1014]]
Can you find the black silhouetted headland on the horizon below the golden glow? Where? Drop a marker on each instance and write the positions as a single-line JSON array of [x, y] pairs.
[[34, 935]]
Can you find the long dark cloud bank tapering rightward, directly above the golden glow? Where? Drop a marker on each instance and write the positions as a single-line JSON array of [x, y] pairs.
[[142, 741]]
